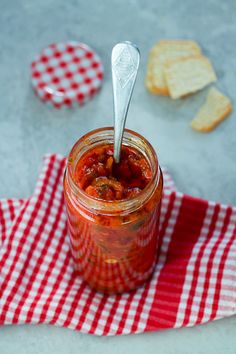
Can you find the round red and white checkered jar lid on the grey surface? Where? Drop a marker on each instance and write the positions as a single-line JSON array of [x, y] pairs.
[[65, 74]]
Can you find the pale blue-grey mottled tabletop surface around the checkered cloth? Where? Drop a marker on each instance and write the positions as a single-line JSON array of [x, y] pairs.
[[202, 165]]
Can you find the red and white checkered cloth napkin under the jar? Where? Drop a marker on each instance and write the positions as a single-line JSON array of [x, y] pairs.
[[194, 281]]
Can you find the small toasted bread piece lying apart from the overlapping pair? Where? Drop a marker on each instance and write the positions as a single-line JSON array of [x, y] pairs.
[[215, 109]]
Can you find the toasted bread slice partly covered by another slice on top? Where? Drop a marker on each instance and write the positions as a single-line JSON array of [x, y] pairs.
[[163, 52]]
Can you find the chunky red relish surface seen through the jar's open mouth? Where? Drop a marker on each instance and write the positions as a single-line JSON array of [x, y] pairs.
[[100, 177]]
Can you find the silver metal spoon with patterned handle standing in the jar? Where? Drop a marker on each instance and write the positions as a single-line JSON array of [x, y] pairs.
[[125, 59]]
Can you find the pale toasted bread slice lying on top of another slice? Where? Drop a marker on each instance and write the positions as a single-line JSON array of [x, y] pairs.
[[188, 75]]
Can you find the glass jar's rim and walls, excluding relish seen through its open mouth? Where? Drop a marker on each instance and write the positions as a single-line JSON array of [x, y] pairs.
[[113, 243]]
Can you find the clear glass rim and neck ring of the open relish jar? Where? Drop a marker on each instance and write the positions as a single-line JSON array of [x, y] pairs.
[[112, 206]]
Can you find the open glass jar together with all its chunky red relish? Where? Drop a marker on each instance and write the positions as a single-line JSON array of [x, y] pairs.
[[113, 210]]
